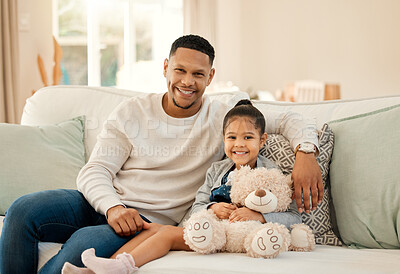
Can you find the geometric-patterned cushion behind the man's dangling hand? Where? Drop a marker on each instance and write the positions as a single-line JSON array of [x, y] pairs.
[[277, 149]]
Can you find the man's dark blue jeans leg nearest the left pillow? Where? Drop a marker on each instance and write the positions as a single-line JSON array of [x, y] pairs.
[[43, 216]]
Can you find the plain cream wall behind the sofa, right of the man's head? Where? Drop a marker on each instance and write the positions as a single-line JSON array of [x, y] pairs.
[[355, 43]]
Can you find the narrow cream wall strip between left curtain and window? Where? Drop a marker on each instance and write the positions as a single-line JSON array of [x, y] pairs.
[[37, 39]]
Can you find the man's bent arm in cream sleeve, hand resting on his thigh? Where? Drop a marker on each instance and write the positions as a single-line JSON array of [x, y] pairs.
[[95, 180]]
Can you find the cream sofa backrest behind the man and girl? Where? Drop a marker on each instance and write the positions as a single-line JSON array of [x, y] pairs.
[[55, 104]]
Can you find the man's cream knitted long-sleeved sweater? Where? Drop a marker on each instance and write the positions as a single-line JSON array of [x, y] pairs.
[[155, 163]]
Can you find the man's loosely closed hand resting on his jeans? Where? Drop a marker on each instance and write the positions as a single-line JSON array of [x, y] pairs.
[[125, 221]]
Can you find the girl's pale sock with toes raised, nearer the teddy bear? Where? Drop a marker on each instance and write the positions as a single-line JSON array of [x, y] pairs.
[[123, 264]]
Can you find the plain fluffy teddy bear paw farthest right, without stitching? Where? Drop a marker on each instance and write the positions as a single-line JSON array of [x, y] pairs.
[[302, 238]]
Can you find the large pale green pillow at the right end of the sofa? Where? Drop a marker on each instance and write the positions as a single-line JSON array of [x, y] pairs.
[[365, 178]]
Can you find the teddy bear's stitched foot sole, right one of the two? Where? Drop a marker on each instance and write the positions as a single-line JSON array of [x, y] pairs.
[[269, 241]]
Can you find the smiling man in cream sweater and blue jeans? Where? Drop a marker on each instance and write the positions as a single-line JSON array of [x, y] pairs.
[[147, 165]]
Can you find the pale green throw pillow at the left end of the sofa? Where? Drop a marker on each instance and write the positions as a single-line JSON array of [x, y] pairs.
[[36, 158]]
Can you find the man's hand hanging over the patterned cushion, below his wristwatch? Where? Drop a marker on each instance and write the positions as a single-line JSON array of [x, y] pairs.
[[307, 179]]
